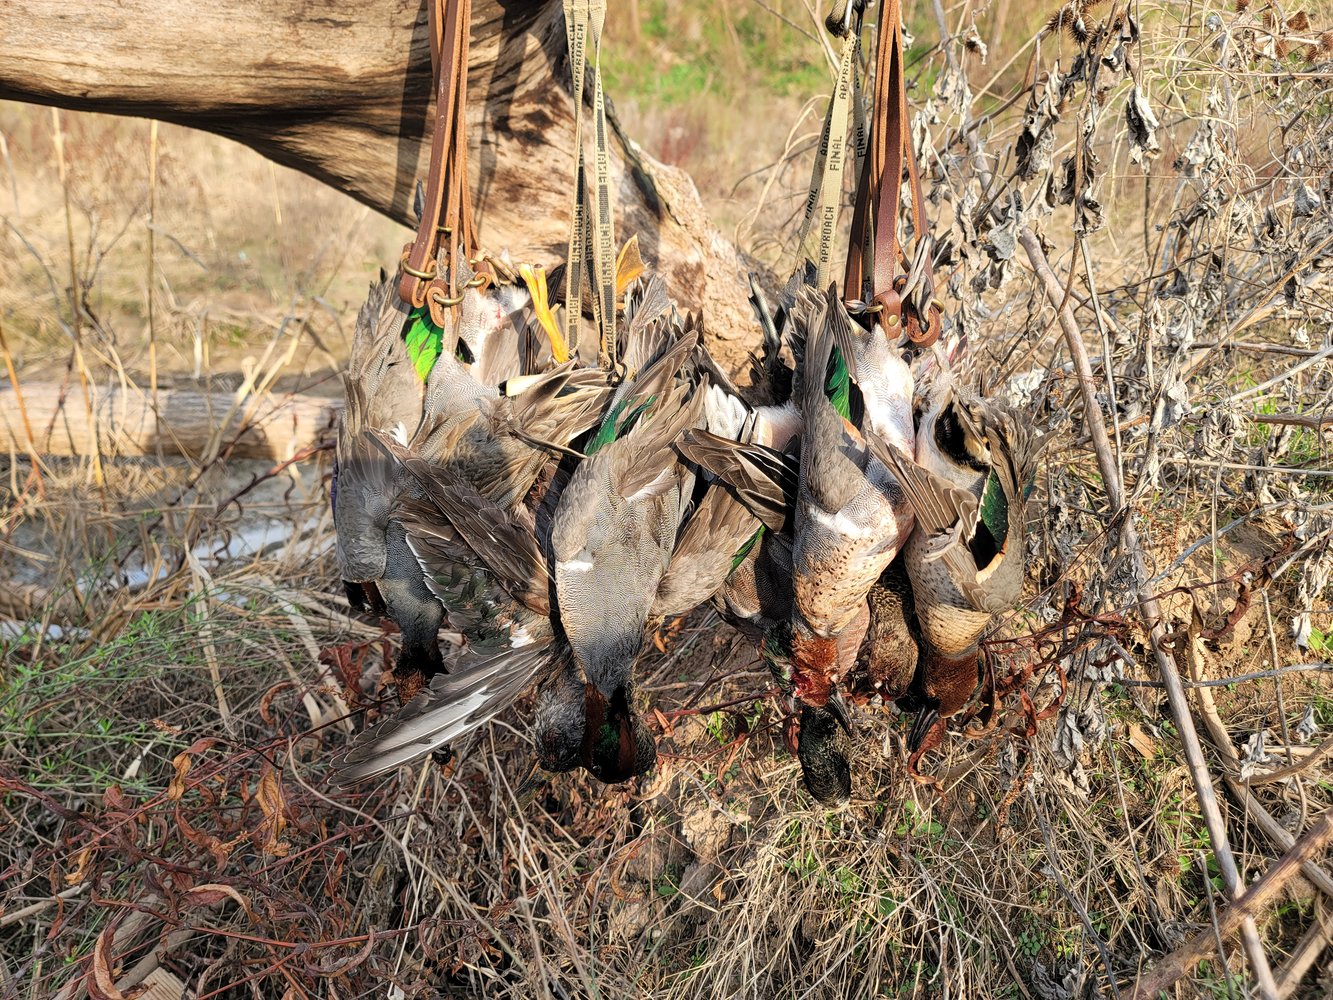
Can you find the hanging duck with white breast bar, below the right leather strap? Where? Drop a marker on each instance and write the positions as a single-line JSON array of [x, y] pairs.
[[851, 515]]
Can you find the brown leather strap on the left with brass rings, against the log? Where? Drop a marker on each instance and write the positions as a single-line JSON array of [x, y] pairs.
[[447, 206]]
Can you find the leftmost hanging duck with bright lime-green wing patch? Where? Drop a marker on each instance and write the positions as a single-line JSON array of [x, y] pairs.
[[473, 397]]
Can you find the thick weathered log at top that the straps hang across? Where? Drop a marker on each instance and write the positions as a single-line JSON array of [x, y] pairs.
[[342, 93]]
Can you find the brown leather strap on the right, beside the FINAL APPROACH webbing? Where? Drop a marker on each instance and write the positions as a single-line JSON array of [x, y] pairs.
[[907, 299]]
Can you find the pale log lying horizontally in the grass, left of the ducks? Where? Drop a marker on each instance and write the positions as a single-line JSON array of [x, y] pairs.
[[189, 422]]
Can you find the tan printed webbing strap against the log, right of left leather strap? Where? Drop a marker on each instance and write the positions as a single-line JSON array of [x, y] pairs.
[[585, 22]]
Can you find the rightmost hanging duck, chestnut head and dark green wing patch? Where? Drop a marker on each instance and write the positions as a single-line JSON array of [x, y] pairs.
[[968, 486]]
